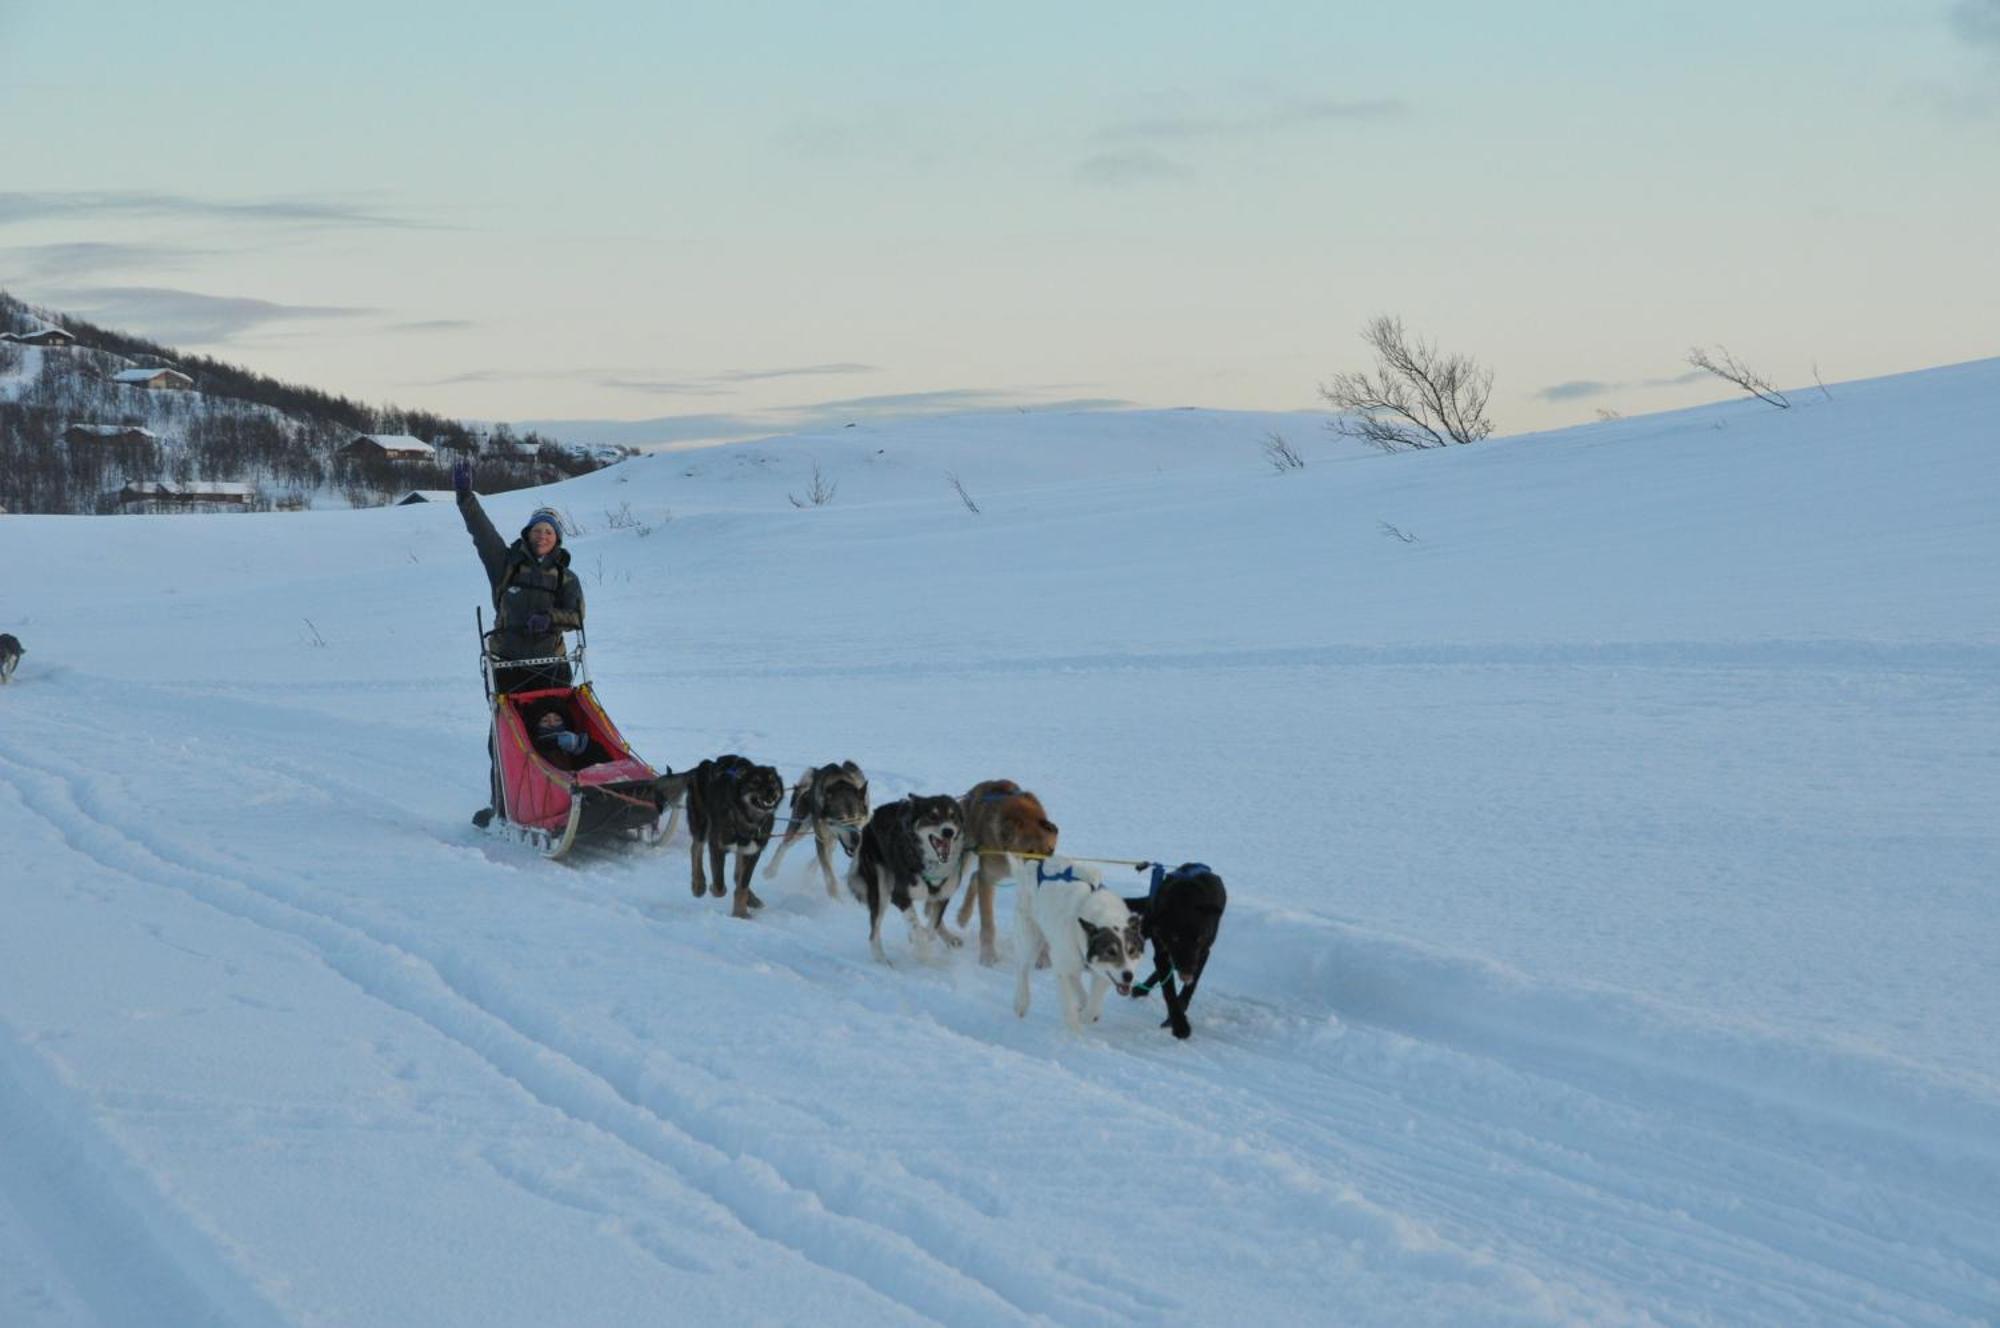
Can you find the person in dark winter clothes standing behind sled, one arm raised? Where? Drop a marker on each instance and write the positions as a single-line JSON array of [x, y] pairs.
[[537, 599]]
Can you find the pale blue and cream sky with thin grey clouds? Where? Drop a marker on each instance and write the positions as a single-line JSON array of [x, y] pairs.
[[773, 215]]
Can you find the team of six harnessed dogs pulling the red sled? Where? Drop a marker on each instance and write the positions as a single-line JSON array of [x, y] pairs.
[[913, 855]]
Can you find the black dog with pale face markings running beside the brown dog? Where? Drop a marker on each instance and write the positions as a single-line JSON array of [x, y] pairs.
[[911, 859]]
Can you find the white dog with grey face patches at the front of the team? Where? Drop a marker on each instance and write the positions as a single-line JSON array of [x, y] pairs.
[[1087, 929]]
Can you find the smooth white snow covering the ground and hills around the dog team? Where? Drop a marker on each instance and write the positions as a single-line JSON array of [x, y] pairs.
[[1611, 867]]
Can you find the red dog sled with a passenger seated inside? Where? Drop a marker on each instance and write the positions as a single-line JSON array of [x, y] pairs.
[[549, 799]]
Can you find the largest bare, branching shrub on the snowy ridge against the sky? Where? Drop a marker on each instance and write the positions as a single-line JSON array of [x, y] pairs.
[[1417, 397]]
